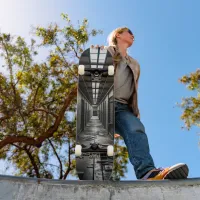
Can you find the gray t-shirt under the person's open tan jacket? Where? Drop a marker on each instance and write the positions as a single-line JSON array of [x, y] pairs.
[[123, 82]]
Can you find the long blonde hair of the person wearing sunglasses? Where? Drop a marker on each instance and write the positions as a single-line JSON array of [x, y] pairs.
[[112, 41]]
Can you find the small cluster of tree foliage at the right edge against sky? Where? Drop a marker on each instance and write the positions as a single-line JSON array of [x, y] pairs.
[[191, 105]]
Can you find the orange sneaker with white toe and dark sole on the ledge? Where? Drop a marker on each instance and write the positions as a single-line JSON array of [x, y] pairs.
[[178, 171]]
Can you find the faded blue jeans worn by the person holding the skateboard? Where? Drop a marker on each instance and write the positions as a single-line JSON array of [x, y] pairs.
[[133, 132]]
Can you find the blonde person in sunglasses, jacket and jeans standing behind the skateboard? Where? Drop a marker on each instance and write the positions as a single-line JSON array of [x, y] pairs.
[[127, 116]]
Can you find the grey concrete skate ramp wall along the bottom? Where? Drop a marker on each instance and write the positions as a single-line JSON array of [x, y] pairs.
[[18, 188]]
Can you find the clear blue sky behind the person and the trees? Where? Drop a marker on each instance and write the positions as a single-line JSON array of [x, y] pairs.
[[167, 46]]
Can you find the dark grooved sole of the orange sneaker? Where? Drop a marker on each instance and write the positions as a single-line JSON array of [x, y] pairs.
[[179, 171]]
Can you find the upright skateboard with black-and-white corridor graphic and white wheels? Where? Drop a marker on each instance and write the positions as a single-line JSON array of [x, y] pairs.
[[95, 115]]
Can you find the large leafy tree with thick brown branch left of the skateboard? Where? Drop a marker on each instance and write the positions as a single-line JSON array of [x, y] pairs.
[[35, 98]]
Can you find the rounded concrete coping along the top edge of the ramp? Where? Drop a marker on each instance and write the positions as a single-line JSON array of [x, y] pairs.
[[121, 184]]
